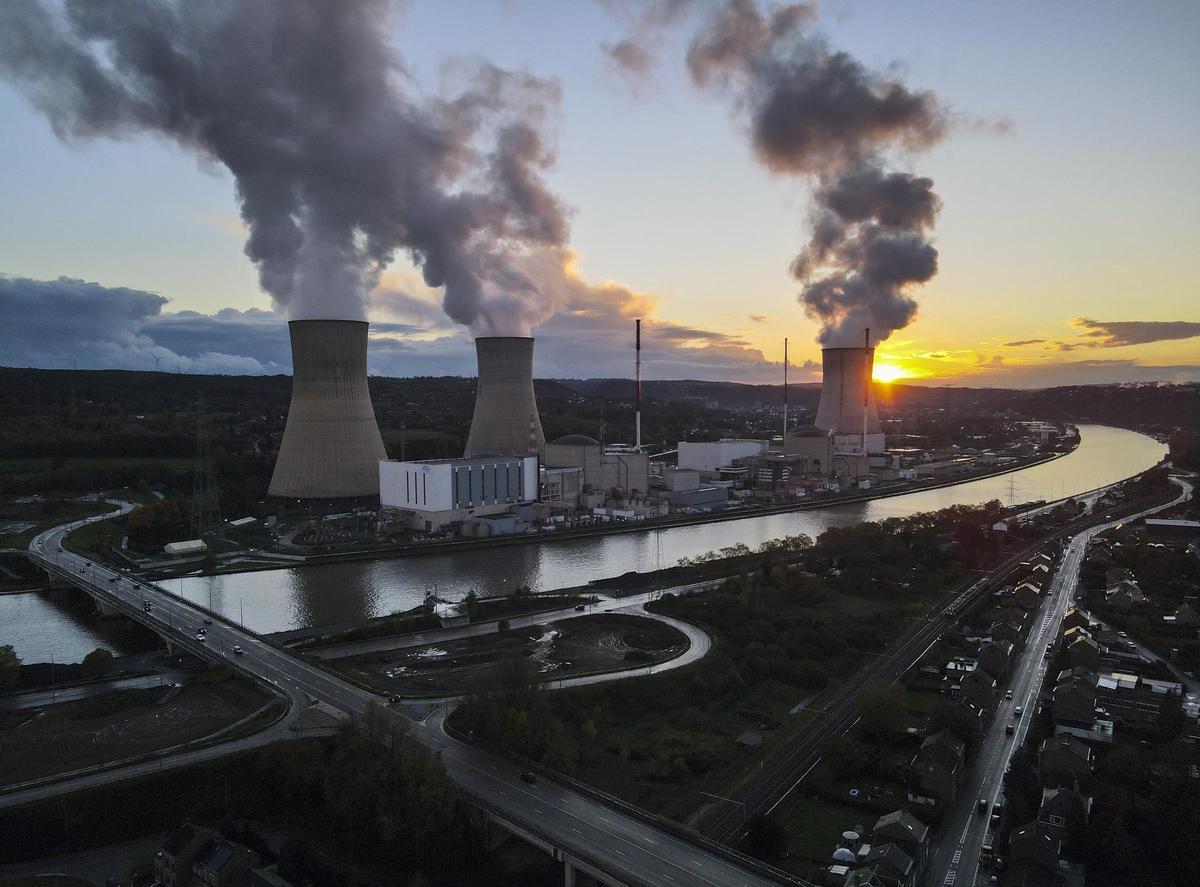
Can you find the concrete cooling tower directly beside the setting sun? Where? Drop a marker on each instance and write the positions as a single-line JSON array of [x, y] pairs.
[[848, 399]]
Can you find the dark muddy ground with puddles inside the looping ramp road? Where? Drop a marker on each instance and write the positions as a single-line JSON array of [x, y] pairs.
[[581, 646]]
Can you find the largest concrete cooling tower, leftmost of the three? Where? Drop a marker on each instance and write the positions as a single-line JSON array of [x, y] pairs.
[[332, 445]]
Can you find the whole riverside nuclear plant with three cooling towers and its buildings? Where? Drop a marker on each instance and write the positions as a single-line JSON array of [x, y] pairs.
[[512, 481]]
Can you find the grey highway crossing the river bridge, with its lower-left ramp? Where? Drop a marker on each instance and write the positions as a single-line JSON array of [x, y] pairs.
[[623, 846]]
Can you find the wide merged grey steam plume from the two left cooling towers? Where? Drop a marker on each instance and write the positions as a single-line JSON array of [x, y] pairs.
[[339, 164]]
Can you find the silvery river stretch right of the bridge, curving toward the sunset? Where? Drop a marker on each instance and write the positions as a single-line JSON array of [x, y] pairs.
[[275, 601]]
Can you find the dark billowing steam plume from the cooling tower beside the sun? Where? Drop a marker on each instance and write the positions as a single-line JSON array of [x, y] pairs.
[[819, 113]]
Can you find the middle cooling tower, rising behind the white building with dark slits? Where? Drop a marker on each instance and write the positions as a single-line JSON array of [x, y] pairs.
[[506, 421]]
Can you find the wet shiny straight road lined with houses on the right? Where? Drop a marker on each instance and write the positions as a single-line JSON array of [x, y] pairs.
[[964, 831]]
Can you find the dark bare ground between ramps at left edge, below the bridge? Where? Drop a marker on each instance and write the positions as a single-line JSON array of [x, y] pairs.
[[116, 726]]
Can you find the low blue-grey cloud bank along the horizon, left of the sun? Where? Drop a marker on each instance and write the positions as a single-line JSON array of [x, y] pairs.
[[51, 323]]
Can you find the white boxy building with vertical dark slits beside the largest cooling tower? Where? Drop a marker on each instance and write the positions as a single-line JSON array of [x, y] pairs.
[[428, 496]]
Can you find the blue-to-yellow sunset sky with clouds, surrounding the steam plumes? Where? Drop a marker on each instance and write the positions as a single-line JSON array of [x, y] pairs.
[[1071, 207]]
